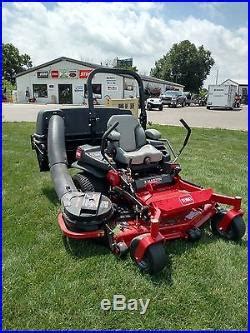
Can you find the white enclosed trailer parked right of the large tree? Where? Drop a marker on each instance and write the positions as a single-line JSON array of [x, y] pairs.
[[221, 96]]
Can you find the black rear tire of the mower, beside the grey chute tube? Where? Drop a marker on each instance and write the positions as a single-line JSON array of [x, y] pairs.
[[87, 183]]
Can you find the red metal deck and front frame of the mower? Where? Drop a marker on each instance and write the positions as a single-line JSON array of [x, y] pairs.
[[175, 210]]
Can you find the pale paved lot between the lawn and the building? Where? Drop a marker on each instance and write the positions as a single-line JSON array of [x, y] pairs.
[[195, 116]]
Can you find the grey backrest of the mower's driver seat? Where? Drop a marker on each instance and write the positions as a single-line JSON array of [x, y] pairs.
[[132, 135]]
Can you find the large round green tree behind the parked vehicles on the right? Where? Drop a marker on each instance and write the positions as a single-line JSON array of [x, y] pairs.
[[185, 64]]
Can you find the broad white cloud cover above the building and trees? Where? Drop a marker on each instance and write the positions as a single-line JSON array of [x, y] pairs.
[[98, 31]]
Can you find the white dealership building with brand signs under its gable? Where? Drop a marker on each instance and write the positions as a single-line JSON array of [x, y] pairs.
[[63, 81]]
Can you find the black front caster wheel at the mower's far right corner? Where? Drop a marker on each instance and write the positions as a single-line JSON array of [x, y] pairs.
[[235, 231]]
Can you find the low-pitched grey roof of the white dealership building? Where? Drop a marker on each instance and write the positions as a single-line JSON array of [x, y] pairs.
[[87, 64]]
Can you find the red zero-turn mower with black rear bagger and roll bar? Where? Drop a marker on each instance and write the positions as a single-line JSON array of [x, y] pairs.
[[128, 190]]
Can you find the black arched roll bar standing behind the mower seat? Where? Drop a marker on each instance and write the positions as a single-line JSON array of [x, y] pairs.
[[118, 71]]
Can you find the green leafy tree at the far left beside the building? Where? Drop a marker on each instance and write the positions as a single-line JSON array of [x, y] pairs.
[[14, 62]]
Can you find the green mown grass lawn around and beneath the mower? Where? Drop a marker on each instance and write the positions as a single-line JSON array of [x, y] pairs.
[[45, 287]]
